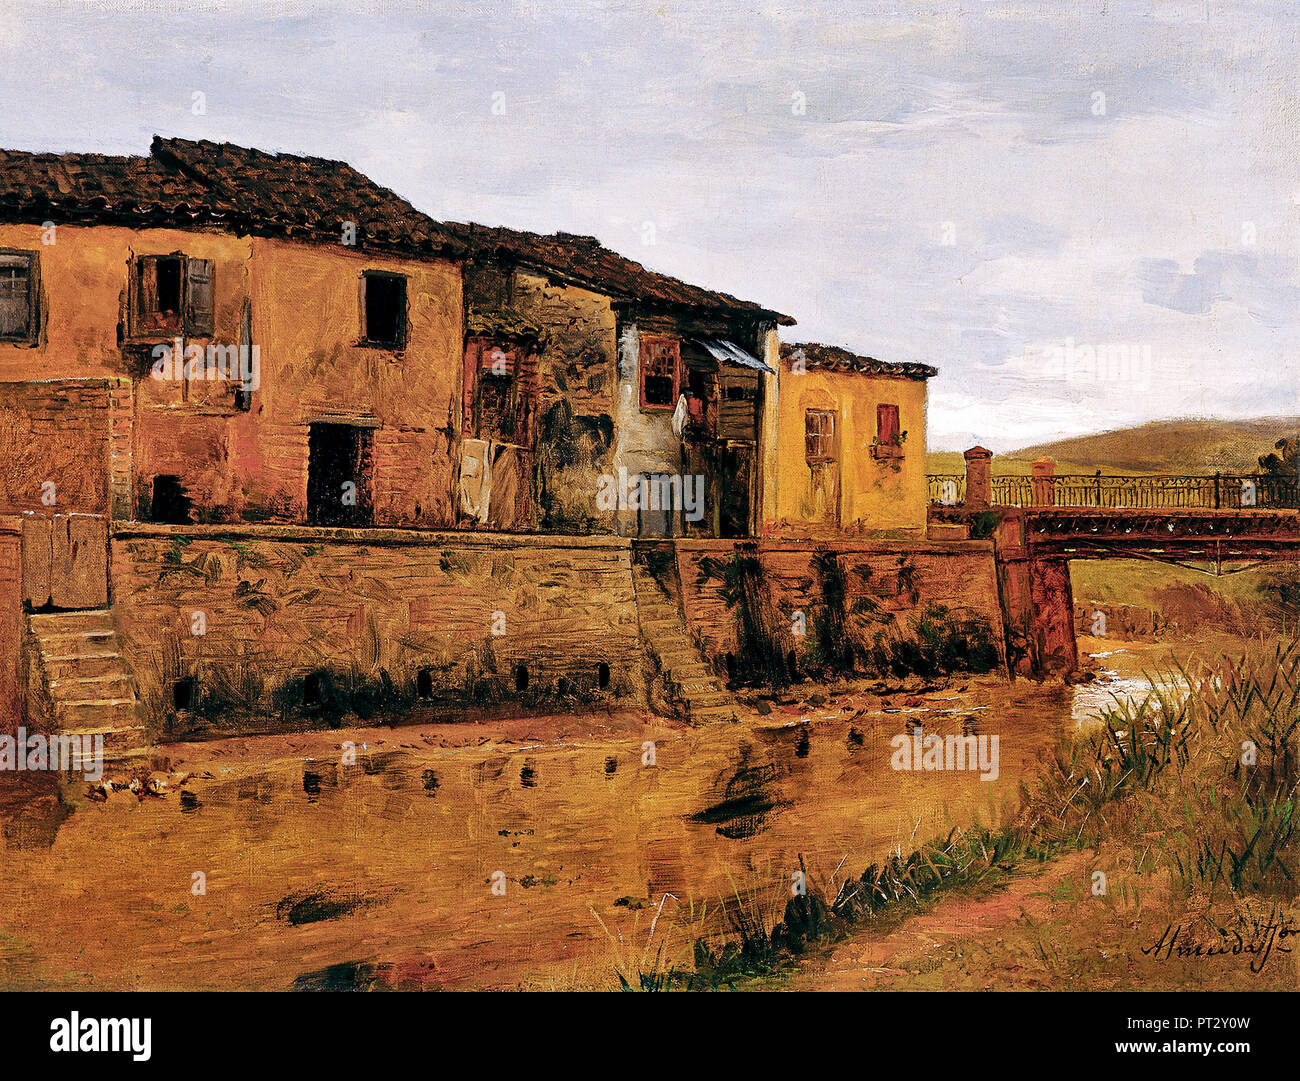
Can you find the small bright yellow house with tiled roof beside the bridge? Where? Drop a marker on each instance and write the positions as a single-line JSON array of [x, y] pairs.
[[847, 446]]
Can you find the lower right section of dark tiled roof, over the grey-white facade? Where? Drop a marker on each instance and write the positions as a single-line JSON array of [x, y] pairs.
[[584, 262]]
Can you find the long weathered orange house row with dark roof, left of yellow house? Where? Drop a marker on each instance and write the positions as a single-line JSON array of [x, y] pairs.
[[408, 372]]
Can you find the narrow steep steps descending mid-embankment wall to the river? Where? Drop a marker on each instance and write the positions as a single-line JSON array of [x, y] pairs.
[[690, 683]]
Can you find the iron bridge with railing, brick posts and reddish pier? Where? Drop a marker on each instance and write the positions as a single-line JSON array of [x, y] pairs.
[[1042, 522]]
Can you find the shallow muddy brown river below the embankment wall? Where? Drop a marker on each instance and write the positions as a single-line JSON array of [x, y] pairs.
[[540, 853]]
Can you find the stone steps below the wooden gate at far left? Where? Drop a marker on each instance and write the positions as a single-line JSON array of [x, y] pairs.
[[86, 680]]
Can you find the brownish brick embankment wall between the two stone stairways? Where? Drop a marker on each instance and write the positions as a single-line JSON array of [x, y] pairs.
[[280, 602]]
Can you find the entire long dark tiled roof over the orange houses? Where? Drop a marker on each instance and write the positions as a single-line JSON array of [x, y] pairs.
[[187, 184]]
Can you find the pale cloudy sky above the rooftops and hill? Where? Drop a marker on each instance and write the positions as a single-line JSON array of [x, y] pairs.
[[1086, 214]]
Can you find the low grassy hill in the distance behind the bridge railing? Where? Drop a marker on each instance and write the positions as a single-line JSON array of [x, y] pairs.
[[1193, 446]]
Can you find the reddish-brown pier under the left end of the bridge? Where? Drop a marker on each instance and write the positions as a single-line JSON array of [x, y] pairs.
[[1038, 605]]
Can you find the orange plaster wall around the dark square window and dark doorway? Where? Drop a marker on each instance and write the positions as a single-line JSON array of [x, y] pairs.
[[307, 318]]
